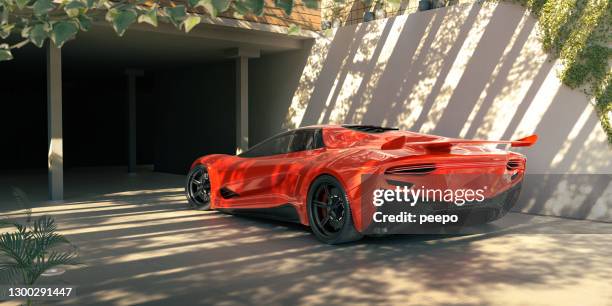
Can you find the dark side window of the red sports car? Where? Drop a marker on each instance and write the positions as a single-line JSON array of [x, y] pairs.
[[294, 141]]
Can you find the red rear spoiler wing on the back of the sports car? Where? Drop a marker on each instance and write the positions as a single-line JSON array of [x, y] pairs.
[[445, 145]]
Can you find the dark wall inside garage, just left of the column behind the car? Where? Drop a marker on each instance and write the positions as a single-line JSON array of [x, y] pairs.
[[195, 115]]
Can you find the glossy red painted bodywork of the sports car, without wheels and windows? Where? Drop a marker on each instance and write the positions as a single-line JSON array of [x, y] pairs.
[[277, 180]]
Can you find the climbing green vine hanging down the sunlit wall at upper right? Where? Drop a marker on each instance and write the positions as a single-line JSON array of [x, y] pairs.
[[579, 33]]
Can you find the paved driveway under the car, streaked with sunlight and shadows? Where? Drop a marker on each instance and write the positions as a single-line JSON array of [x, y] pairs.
[[140, 245]]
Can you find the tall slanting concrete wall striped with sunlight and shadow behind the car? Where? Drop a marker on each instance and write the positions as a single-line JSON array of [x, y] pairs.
[[472, 71]]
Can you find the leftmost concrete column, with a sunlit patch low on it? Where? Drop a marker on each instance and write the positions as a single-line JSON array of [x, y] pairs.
[[55, 157]]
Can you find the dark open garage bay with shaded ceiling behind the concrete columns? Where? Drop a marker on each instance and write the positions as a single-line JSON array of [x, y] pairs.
[[185, 90]]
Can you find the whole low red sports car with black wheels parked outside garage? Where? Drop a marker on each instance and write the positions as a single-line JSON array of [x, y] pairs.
[[315, 175]]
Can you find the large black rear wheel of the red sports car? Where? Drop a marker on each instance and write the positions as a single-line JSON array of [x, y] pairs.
[[329, 212]]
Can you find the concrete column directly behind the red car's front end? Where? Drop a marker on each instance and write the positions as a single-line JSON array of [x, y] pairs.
[[242, 104]]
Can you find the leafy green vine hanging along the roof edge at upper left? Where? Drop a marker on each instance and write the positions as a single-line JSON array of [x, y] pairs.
[[61, 20]]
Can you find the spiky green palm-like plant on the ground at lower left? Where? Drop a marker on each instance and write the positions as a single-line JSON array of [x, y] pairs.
[[33, 248]]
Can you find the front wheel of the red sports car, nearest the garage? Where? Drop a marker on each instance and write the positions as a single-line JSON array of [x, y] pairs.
[[197, 188]]
